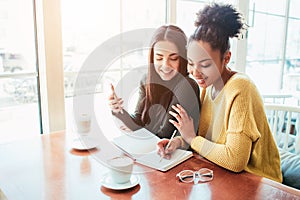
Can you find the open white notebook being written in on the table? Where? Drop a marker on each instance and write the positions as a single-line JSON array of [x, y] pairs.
[[141, 146]]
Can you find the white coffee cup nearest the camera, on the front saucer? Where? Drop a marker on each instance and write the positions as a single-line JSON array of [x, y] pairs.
[[120, 169]]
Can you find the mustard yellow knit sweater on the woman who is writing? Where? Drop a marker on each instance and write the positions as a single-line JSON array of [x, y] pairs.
[[234, 131]]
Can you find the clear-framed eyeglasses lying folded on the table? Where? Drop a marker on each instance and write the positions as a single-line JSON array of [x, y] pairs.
[[202, 175]]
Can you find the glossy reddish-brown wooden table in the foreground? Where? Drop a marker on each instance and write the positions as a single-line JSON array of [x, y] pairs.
[[47, 167]]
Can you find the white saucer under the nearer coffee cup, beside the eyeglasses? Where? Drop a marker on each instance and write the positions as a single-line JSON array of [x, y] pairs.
[[108, 182]]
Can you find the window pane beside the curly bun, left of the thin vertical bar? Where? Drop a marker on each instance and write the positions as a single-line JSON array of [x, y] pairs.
[[265, 50]]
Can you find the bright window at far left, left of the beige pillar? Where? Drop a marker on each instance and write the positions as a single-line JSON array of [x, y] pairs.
[[19, 101]]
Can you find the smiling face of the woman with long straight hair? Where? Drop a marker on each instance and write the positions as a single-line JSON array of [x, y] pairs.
[[166, 59]]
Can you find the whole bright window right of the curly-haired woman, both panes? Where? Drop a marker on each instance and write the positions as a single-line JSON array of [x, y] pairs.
[[273, 44]]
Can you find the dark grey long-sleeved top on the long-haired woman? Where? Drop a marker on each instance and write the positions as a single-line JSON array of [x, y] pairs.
[[185, 91]]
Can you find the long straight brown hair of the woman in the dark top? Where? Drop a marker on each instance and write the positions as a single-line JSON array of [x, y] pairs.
[[172, 34]]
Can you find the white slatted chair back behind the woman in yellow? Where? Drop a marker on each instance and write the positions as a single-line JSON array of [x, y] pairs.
[[284, 122]]
